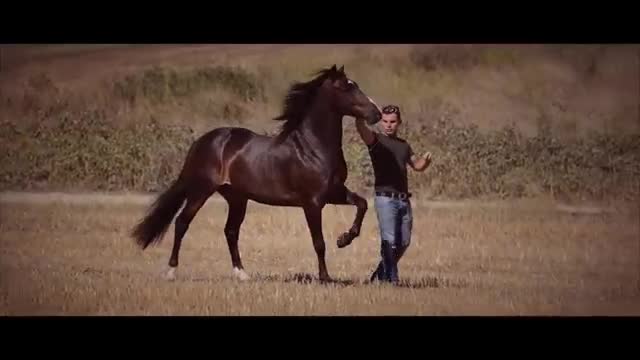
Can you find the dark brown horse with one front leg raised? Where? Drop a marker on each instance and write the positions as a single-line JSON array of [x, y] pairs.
[[302, 165]]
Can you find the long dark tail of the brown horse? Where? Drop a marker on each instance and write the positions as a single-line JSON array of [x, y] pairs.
[[155, 224]]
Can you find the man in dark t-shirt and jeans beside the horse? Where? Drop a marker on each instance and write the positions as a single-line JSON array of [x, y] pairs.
[[390, 156]]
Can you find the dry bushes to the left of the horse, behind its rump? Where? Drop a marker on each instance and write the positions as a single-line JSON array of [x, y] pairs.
[[87, 152]]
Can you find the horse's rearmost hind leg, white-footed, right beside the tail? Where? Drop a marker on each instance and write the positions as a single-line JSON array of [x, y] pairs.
[[195, 201]]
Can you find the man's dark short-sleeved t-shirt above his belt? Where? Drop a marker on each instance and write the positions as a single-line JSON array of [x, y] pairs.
[[389, 157]]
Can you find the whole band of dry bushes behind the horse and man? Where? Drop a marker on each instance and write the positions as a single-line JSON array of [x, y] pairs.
[[85, 151]]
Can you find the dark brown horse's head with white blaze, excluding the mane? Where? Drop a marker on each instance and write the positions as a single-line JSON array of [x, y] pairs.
[[348, 98]]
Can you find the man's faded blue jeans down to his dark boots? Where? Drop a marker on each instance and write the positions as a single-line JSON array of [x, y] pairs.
[[395, 222]]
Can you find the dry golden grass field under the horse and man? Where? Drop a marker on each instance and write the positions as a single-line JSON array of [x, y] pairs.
[[78, 259]]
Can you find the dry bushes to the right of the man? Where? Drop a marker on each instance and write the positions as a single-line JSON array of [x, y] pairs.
[[503, 163]]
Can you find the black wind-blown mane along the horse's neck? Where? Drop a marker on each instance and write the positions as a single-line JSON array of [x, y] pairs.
[[298, 101]]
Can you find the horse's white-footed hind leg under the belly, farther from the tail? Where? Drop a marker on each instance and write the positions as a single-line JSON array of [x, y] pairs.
[[237, 210]]
